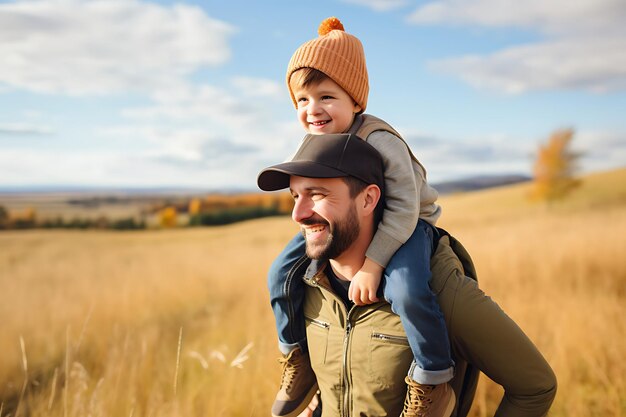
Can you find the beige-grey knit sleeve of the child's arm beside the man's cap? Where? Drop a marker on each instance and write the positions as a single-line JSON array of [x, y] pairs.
[[402, 197]]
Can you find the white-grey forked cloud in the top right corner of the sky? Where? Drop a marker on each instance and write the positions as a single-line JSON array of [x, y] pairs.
[[583, 49]]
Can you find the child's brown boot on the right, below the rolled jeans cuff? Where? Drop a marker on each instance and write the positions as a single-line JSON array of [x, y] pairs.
[[428, 400]]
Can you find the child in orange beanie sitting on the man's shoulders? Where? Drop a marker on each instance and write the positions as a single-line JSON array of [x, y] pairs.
[[328, 83]]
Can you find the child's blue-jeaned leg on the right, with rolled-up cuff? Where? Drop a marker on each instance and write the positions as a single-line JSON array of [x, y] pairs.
[[406, 287]]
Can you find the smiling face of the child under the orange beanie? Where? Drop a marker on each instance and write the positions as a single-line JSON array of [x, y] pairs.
[[325, 108]]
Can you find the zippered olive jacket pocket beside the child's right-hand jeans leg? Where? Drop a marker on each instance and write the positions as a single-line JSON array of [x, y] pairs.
[[390, 357]]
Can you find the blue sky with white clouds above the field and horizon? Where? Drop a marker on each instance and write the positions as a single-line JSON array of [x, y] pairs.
[[191, 94]]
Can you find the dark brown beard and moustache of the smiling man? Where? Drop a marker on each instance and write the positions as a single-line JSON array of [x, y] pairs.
[[342, 234]]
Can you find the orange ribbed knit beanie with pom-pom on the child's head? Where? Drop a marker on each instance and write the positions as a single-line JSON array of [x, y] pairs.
[[337, 54]]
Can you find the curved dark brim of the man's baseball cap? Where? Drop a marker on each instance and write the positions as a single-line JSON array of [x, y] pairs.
[[277, 177]]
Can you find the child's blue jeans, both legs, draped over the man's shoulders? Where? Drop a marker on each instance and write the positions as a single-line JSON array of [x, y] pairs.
[[405, 285]]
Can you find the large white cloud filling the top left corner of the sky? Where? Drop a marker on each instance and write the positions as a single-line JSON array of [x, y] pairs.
[[105, 46]]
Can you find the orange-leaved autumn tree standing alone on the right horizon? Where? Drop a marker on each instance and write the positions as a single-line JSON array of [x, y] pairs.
[[555, 167]]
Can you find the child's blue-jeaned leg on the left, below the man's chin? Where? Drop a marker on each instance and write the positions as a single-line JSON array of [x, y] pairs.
[[287, 296]]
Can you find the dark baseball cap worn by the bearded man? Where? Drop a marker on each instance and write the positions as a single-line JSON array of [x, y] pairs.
[[327, 156]]
